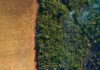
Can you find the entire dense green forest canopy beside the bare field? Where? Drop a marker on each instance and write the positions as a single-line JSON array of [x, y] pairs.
[[67, 32]]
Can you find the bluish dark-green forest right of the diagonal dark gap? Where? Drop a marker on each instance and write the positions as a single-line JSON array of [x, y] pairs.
[[89, 24]]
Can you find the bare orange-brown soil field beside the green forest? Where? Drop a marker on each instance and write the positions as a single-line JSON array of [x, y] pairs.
[[17, 34]]
